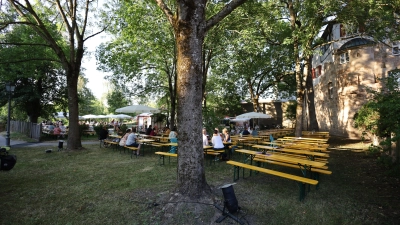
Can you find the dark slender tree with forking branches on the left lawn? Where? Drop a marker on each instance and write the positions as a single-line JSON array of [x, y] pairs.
[[72, 18]]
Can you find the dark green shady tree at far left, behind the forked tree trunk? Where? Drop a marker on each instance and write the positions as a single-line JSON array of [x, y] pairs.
[[36, 72]]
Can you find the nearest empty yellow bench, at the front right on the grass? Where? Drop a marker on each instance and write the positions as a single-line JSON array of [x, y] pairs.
[[301, 181]]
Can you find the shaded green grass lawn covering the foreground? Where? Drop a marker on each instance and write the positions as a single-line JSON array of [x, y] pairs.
[[104, 186]]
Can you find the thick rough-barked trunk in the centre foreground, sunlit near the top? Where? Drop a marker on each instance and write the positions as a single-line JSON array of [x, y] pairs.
[[190, 31]]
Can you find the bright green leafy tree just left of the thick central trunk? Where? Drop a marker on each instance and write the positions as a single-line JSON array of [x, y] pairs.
[[148, 69]]
